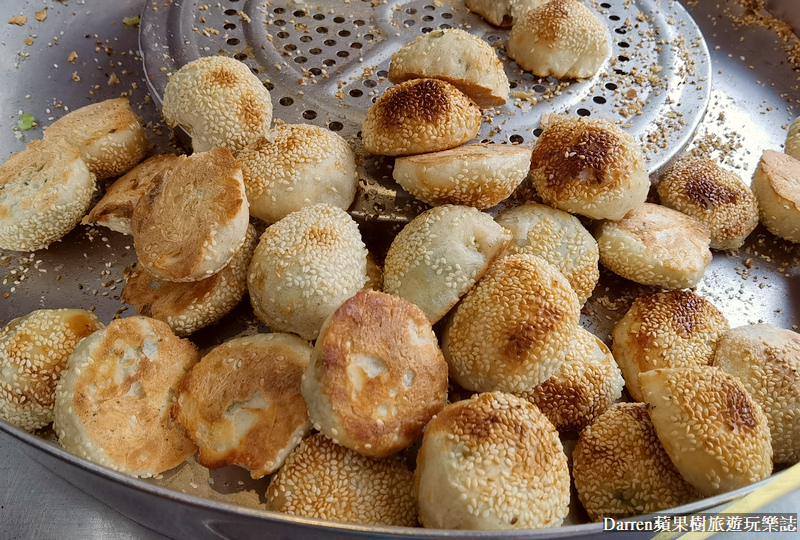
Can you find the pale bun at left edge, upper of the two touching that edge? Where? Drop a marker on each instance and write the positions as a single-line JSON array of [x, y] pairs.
[[44, 192]]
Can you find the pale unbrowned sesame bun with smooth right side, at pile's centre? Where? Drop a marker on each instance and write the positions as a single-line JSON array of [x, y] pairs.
[[437, 257]]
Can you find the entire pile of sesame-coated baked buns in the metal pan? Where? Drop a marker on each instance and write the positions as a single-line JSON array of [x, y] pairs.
[[353, 379]]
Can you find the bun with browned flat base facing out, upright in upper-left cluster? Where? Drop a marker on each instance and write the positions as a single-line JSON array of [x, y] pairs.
[[193, 218]]
